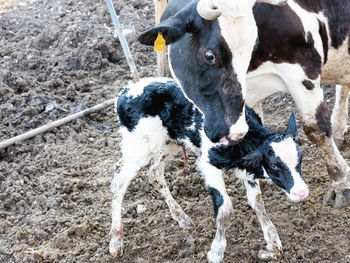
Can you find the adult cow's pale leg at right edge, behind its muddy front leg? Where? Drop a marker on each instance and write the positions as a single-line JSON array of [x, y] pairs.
[[340, 113]]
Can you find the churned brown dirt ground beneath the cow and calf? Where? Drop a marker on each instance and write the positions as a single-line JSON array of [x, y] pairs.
[[59, 57]]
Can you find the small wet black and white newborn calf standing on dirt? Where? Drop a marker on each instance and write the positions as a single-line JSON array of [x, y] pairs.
[[156, 120]]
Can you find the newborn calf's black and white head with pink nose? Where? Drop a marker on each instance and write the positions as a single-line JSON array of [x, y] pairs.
[[279, 160]]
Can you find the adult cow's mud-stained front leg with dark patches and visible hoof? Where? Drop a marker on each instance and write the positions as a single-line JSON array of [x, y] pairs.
[[316, 122]]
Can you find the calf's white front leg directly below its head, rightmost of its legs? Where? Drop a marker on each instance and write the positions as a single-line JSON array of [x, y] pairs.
[[274, 245]]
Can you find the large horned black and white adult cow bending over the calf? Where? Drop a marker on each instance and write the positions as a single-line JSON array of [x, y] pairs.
[[288, 48]]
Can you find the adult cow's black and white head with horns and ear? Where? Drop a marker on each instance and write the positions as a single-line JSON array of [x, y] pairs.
[[211, 45]]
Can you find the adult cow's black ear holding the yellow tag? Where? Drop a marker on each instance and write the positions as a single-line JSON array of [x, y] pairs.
[[172, 30]]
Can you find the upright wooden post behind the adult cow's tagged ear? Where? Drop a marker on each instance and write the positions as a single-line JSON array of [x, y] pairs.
[[162, 56]]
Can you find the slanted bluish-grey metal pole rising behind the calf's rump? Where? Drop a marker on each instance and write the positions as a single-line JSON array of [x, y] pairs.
[[122, 40]]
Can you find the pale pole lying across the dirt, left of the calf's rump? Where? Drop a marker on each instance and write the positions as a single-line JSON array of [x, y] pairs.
[[55, 124]]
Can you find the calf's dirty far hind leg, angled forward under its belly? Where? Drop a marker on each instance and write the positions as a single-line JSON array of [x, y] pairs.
[[156, 177]]
